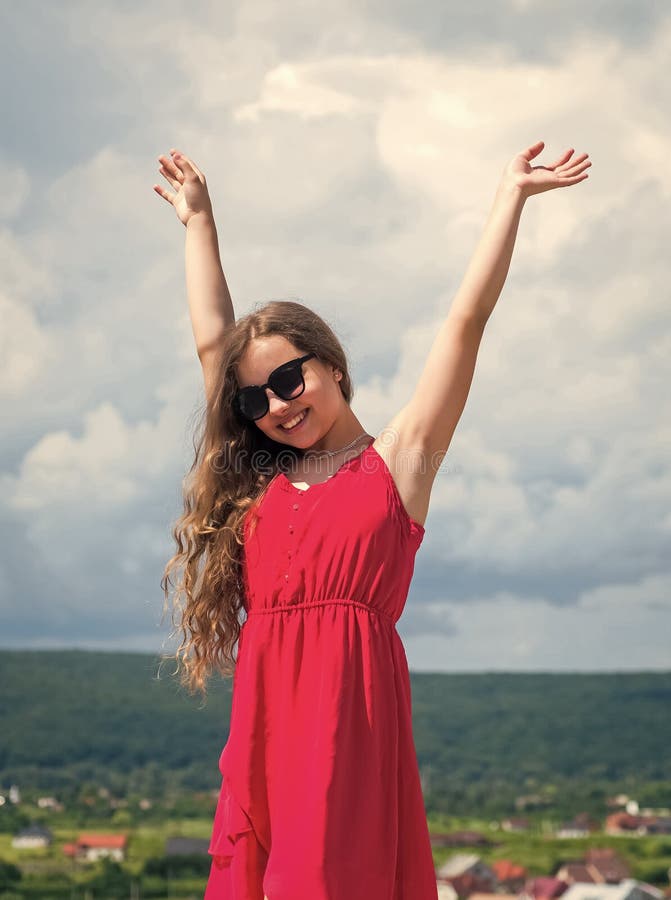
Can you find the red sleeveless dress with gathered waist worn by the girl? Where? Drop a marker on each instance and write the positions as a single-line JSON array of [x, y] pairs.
[[320, 796]]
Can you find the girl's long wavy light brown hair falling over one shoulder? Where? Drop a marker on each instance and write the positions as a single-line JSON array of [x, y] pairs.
[[233, 465]]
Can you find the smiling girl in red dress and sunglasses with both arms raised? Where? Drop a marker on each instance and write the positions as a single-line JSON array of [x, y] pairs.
[[297, 516]]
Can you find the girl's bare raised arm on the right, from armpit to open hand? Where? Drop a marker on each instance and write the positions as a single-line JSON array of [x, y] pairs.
[[423, 429]]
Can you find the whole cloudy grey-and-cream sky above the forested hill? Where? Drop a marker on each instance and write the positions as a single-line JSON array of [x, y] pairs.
[[352, 151]]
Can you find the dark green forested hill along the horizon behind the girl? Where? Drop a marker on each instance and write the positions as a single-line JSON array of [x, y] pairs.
[[75, 716]]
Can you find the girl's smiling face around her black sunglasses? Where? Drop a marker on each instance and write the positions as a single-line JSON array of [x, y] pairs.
[[319, 404]]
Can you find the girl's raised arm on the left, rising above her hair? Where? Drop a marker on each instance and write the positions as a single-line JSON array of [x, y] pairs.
[[210, 304]]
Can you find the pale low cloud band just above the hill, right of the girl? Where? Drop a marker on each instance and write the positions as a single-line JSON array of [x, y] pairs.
[[625, 629]]
